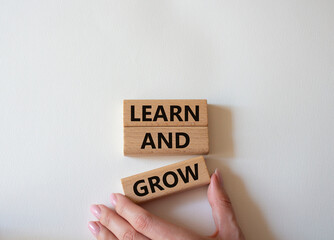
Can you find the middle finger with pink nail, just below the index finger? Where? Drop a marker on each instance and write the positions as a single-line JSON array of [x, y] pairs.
[[116, 224]]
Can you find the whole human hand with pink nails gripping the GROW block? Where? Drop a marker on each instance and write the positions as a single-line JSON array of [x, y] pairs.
[[129, 221]]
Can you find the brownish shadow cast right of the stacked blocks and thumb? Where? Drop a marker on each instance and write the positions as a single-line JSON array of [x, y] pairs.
[[222, 152]]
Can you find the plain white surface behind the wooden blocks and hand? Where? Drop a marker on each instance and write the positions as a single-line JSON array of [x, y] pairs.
[[265, 67]]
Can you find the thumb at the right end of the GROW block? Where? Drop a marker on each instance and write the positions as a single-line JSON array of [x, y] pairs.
[[222, 210]]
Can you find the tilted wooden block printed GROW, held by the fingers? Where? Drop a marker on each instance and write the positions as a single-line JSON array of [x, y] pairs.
[[166, 180]]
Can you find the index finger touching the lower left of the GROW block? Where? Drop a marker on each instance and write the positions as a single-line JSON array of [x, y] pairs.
[[149, 225]]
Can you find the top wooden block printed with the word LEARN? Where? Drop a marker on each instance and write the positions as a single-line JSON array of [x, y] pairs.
[[165, 113]]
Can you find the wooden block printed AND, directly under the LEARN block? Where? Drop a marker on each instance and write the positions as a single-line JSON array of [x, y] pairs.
[[166, 140]]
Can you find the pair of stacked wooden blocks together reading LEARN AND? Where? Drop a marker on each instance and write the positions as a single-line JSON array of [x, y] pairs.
[[165, 127]]
